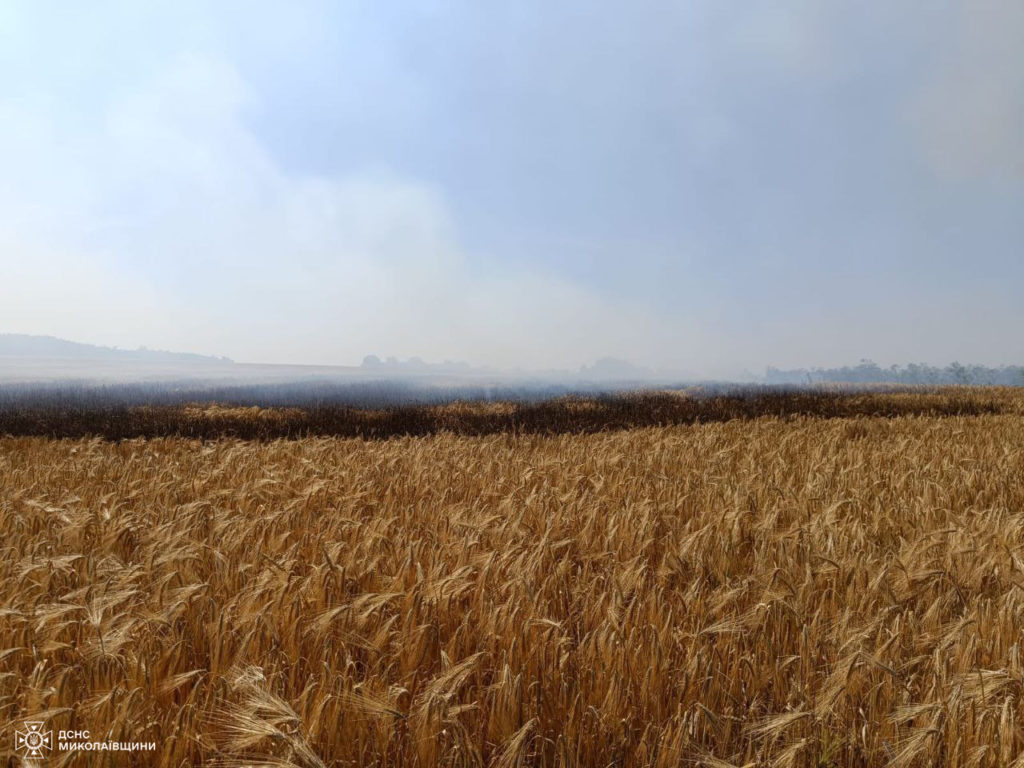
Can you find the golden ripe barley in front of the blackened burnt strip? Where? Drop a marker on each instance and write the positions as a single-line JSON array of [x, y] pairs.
[[794, 591]]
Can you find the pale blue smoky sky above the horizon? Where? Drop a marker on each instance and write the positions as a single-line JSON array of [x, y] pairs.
[[705, 186]]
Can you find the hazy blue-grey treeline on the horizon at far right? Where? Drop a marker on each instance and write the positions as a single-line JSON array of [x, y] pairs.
[[914, 374]]
